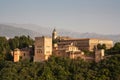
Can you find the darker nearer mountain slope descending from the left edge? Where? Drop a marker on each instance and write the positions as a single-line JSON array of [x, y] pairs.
[[10, 31]]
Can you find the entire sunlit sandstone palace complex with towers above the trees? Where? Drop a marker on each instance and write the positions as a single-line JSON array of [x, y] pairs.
[[62, 46]]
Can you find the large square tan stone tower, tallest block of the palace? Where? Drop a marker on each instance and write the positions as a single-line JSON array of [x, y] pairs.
[[43, 48]]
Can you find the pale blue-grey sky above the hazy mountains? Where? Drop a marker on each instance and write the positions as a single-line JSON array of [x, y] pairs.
[[97, 16]]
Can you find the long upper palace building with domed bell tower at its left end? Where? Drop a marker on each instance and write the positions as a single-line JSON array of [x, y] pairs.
[[82, 44]]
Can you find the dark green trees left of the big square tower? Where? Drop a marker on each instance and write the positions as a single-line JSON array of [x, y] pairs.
[[17, 42]]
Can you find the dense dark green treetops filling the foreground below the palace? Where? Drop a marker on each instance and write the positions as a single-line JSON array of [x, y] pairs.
[[57, 68]]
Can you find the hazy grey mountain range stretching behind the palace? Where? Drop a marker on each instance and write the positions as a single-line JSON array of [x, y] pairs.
[[11, 30]]
